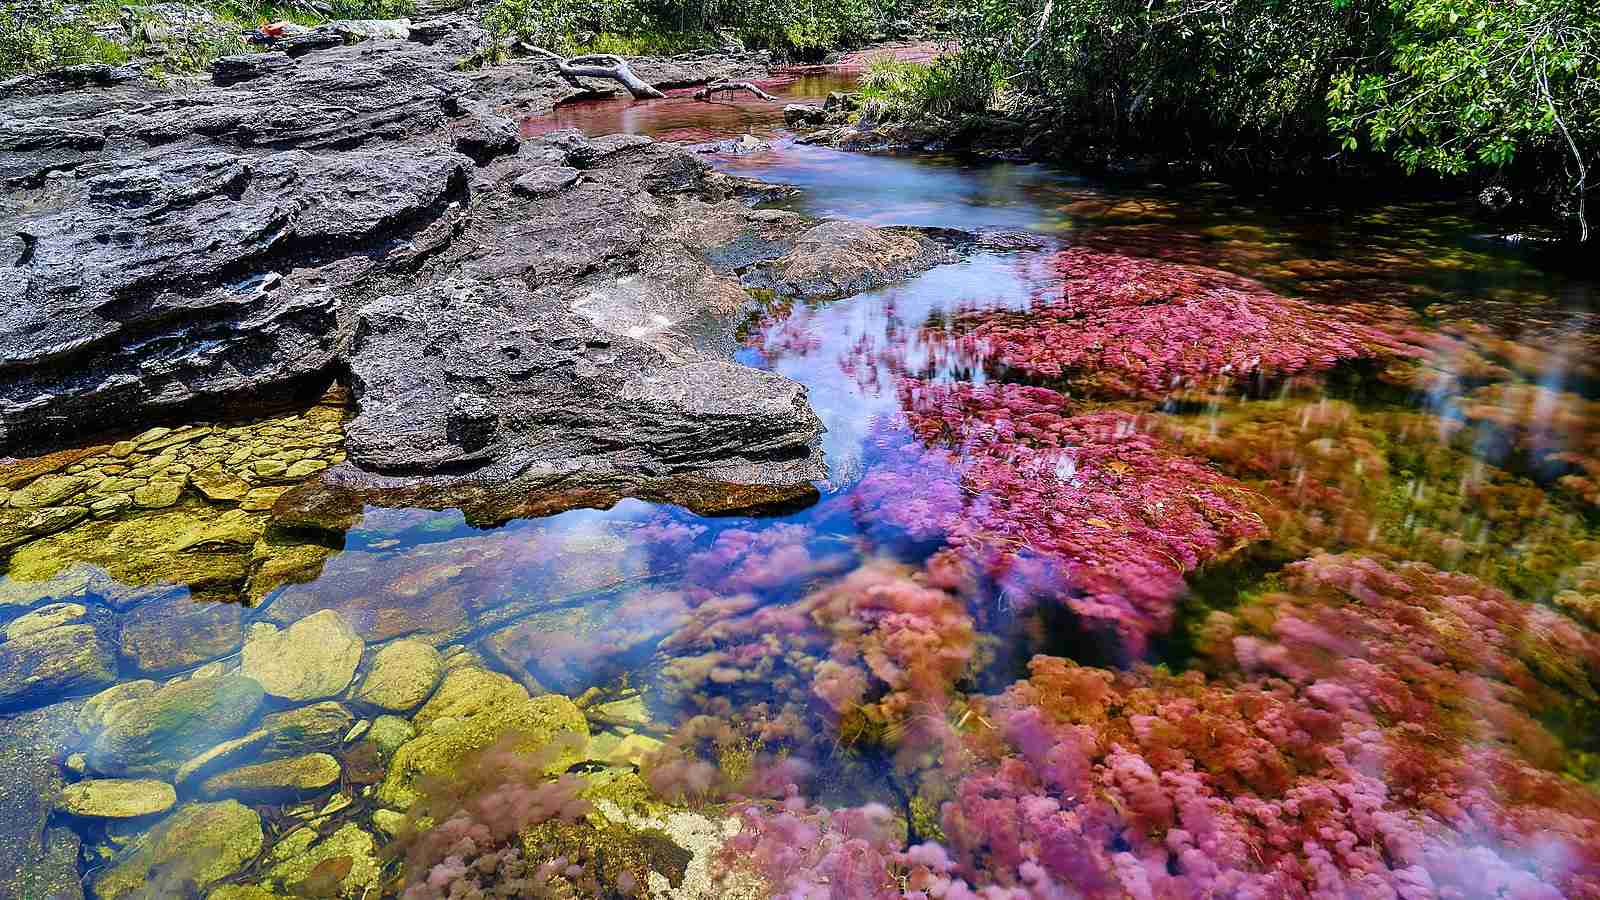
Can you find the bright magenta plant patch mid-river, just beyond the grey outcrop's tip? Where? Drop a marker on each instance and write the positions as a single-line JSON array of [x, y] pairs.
[[1087, 510]]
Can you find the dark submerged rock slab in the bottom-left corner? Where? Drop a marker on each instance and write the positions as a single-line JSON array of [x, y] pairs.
[[39, 859]]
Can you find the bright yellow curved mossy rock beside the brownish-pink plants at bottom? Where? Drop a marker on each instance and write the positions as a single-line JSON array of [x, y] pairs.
[[447, 742]]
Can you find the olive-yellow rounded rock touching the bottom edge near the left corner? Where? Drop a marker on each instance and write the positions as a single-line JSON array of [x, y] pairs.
[[202, 843]]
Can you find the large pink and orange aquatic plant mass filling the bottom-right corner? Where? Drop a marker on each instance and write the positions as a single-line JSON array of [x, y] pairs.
[[1364, 736]]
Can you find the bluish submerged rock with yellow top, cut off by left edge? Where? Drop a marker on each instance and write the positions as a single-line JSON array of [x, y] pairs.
[[68, 659]]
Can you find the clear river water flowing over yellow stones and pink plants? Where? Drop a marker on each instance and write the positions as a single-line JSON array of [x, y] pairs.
[[1153, 494]]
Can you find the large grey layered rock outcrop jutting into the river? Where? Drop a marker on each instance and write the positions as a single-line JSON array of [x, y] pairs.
[[538, 313]]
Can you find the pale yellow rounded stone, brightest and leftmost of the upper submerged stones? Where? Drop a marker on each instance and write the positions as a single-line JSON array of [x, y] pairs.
[[316, 657]]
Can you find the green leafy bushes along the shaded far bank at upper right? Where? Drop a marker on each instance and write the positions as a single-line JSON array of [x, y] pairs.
[[1502, 94]]
